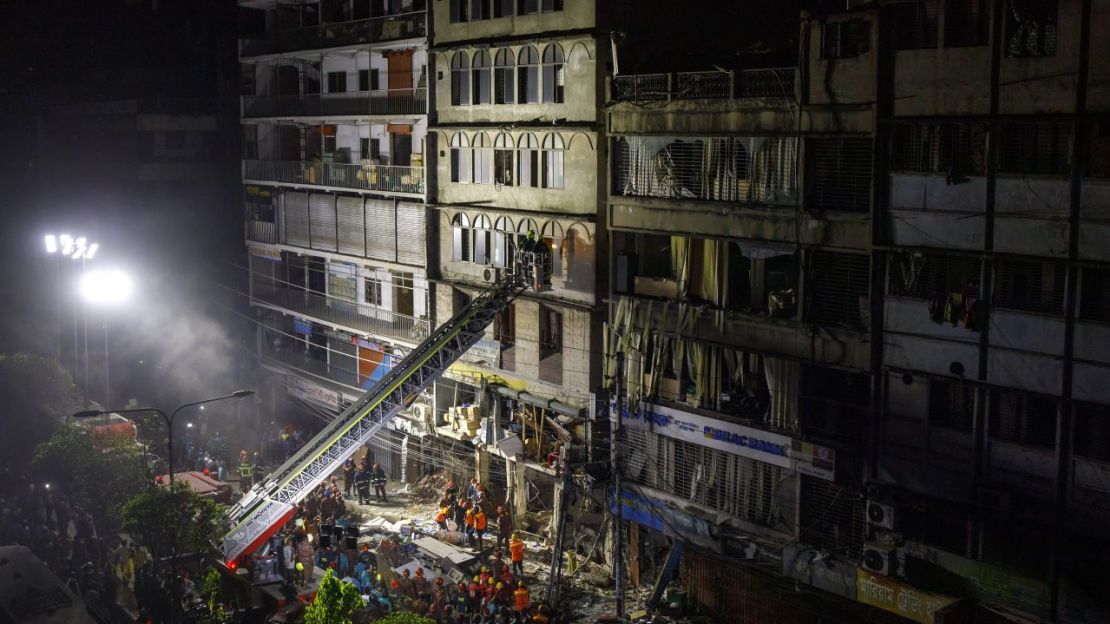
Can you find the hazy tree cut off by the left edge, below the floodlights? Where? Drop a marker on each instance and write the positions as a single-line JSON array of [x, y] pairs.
[[39, 396]]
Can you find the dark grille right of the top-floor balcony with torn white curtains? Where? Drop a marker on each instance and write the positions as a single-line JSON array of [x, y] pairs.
[[842, 174]]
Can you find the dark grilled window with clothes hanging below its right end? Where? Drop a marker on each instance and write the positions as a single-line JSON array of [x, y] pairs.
[[926, 276]]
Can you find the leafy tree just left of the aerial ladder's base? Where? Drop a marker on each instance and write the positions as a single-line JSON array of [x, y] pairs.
[[173, 520]]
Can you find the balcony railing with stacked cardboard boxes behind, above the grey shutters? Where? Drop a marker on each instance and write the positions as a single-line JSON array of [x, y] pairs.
[[389, 179]]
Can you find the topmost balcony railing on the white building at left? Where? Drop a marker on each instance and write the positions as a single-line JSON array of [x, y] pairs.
[[406, 26]]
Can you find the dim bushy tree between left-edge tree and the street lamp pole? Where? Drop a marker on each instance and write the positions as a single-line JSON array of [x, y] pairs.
[[102, 479]]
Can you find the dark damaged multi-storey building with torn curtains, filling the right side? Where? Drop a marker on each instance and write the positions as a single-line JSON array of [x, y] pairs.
[[862, 306]]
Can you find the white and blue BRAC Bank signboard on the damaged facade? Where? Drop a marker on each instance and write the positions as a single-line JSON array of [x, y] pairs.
[[764, 447]]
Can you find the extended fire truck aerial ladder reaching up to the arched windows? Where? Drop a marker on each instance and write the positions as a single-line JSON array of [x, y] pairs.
[[269, 505]]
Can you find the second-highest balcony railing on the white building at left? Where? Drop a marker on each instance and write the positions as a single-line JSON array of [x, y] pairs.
[[389, 102]]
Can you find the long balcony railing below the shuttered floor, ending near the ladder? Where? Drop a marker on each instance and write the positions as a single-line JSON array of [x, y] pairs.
[[338, 311]]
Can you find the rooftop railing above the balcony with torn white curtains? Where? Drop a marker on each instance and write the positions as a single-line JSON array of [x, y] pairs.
[[771, 83]]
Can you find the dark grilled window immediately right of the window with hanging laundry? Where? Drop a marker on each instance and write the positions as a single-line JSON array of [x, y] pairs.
[[1030, 285]]
